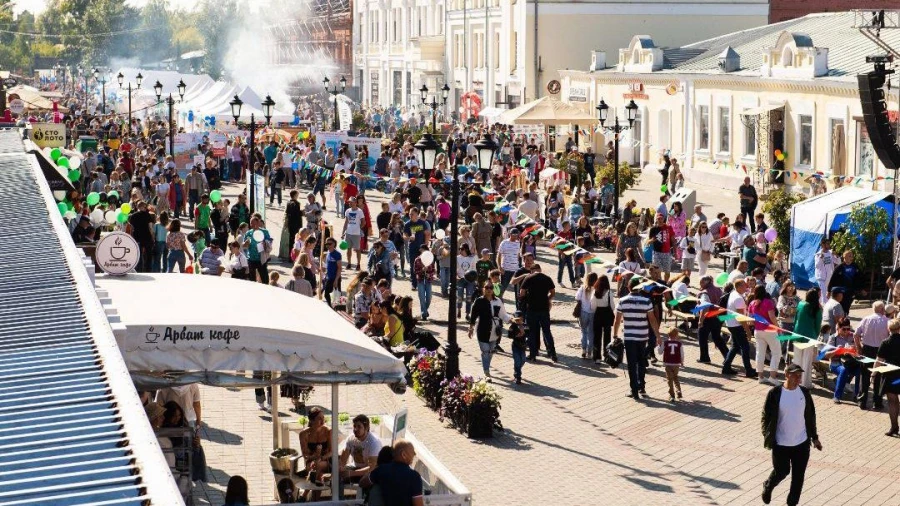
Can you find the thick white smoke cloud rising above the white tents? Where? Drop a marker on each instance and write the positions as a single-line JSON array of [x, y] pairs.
[[252, 51]]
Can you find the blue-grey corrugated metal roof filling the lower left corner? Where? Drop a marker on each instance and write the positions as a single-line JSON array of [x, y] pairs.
[[63, 436]]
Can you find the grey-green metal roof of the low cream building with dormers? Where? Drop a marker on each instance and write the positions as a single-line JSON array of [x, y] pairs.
[[847, 47]]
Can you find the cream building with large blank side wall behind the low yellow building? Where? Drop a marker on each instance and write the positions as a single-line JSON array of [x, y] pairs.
[[508, 51]]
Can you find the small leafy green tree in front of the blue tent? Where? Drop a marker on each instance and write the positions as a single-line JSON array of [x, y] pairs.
[[867, 233]]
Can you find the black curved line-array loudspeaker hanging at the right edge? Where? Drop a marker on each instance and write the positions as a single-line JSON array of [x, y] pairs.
[[875, 114]]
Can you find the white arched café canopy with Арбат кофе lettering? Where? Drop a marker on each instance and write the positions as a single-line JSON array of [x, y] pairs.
[[263, 329]]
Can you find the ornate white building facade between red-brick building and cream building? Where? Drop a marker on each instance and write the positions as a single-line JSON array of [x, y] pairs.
[[398, 45]]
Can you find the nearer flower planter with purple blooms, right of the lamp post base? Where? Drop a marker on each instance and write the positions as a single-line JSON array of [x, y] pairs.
[[471, 406]]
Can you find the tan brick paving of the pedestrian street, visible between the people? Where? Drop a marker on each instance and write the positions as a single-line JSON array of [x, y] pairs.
[[572, 437]]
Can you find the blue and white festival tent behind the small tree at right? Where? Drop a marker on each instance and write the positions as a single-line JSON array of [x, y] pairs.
[[819, 217]]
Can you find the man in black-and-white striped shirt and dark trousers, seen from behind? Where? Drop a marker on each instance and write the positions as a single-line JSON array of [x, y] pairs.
[[635, 313]]
